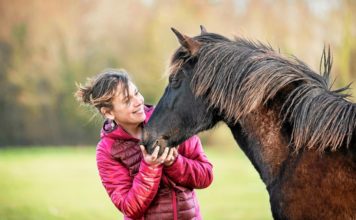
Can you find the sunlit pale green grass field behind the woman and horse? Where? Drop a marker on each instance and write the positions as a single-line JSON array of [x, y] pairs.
[[62, 183]]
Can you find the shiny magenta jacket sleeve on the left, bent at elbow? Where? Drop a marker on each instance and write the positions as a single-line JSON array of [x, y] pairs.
[[131, 195]]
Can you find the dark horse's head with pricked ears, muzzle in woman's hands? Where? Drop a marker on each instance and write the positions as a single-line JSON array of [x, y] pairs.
[[180, 113]]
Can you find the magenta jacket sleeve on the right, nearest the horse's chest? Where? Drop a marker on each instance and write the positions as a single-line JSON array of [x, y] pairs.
[[191, 168]]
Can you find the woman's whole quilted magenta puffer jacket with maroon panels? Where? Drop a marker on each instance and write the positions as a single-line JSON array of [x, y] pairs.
[[143, 192]]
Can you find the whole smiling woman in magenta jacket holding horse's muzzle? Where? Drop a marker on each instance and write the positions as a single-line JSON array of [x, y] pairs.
[[140, 185]]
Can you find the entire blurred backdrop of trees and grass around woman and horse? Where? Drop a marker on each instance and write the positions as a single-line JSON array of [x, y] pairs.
[[47, 140]]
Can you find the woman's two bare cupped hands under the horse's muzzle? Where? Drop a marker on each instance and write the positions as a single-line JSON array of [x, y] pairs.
[[167, 156]]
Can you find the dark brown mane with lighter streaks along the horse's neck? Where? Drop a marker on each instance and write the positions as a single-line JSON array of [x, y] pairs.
[[238, 76]]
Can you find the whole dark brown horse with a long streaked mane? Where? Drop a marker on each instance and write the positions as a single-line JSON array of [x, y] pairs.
[[298, 133]]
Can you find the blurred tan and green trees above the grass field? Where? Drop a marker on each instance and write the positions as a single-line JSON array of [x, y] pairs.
[[48, 46]]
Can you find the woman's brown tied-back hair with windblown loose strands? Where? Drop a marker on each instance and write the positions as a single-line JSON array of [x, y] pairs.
[[100, 90]]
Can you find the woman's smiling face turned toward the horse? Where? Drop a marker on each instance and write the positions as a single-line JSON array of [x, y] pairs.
[[128, 109]]
